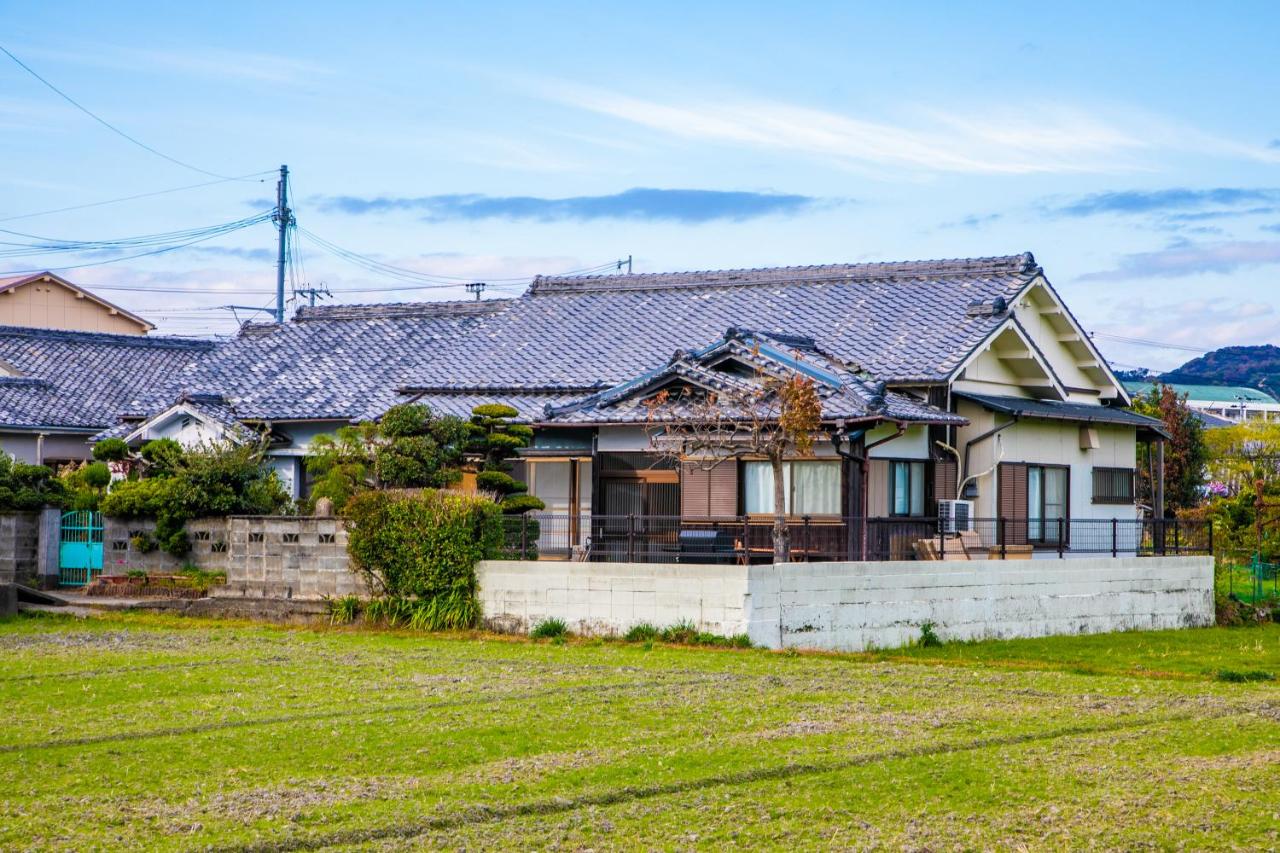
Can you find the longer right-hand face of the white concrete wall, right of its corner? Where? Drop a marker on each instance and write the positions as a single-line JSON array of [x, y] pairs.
[[884, 605]]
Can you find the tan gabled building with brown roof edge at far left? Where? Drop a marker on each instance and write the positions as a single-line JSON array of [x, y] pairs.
[[49, 302]]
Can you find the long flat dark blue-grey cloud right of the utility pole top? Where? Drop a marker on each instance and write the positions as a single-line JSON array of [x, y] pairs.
[[638, 204]]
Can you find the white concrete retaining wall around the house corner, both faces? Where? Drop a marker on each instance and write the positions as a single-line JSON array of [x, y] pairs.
[[853, 606]]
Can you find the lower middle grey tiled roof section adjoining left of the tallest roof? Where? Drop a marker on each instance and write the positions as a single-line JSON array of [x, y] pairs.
[[340, 363]]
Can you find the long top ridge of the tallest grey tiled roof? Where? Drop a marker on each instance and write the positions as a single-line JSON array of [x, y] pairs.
[[1023, 264]]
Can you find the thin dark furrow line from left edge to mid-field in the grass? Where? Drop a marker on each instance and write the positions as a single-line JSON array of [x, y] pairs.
[[122, 737]]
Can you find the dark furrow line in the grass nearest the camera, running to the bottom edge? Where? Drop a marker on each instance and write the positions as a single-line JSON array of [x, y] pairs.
[[633, 793]]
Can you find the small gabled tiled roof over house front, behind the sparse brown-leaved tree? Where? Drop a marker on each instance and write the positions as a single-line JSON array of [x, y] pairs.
[[735, 368]]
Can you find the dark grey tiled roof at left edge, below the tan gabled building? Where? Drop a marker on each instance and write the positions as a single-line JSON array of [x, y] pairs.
[[86, 380]]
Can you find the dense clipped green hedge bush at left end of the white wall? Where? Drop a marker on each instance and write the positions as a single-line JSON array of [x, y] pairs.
[[424, 546]]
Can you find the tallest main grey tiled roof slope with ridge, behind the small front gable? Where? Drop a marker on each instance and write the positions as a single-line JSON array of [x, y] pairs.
[[902, 322]]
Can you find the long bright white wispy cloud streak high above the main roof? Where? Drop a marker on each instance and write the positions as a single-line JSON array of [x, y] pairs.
[[1028, 140]]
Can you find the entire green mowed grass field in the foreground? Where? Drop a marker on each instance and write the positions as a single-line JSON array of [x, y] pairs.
[[139, 732]]
